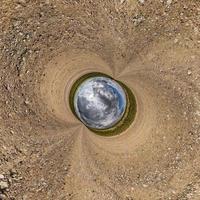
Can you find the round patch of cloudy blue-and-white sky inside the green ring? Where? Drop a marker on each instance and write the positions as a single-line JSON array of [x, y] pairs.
[[100, 102]]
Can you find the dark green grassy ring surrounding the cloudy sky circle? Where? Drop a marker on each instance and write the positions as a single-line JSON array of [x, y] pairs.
[[129, 114]]
